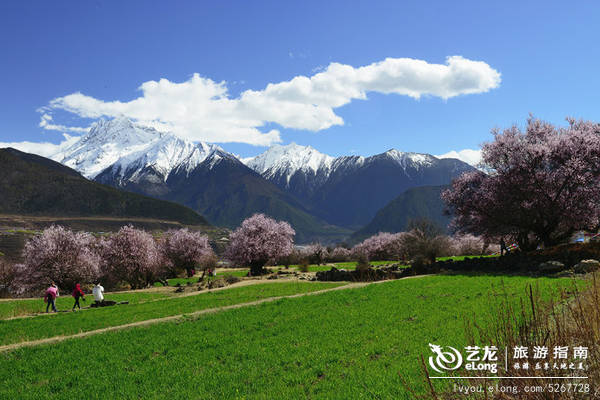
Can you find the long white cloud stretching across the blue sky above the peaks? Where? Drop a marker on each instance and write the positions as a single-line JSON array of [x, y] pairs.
[[201, 109]]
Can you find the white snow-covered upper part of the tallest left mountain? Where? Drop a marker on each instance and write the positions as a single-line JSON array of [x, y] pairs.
[[123, 149]]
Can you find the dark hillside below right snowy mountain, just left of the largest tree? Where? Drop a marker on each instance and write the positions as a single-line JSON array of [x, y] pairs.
[[419, 202]]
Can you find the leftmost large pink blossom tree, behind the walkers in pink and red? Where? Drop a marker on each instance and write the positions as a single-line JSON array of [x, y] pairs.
[[58, 255]]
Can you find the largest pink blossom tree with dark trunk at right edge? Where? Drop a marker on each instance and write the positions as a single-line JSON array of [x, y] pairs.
[[541, 185]]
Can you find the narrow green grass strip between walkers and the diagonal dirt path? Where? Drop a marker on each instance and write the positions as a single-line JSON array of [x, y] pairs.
[[43, 326]]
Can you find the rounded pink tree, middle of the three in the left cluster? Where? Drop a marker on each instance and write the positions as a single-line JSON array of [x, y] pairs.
[[131, 255]]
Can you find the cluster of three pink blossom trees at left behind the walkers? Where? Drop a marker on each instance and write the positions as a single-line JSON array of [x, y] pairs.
[[130, 255]]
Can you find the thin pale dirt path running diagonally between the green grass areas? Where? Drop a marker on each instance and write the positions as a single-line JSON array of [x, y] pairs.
[[198, 313]]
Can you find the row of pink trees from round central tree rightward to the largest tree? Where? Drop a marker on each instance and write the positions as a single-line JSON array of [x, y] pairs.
[[261, 241]]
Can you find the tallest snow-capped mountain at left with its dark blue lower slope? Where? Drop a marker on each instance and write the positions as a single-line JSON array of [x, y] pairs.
[[202, 176]]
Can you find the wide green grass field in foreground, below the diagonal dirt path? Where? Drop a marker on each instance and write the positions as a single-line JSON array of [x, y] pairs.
[[343, 344]]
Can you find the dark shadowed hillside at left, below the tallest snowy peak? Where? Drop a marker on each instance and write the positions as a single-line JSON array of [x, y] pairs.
[[34, 185]]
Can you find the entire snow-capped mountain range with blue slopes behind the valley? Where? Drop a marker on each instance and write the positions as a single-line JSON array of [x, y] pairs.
[[322, 197]]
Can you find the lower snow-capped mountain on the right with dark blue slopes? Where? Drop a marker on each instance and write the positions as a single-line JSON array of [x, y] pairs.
[[349, 190]]
